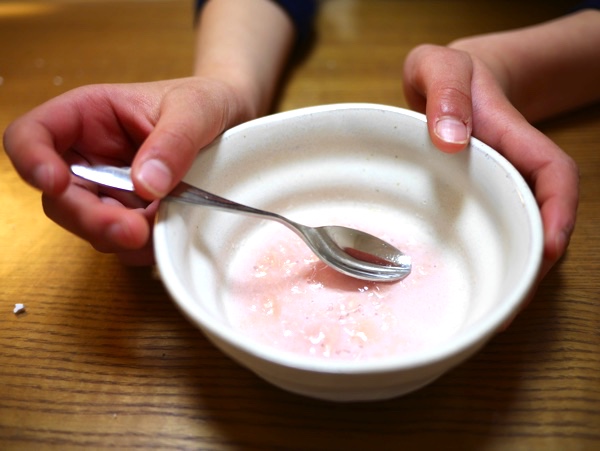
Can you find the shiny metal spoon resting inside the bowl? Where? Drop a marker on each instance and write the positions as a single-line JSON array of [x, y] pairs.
[[347, 250]]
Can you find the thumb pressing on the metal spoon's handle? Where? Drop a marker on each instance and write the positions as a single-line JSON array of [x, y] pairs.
[[189, 120]]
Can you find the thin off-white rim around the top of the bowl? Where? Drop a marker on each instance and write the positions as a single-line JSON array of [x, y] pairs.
[[470, 339]]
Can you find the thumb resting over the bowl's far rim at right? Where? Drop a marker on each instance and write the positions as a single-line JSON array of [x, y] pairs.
[[437, 80]]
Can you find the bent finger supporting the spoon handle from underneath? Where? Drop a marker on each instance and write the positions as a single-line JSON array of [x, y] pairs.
[[108, 226]]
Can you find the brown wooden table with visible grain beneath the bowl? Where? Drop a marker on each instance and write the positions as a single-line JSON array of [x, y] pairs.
[[103, 359]]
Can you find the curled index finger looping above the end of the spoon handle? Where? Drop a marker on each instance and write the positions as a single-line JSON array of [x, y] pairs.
[[93, 121]]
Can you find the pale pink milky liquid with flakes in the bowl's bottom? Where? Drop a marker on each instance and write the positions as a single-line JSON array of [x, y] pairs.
[[284, 296]]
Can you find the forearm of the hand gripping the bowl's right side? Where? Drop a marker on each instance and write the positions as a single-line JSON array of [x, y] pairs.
[[545, 69]]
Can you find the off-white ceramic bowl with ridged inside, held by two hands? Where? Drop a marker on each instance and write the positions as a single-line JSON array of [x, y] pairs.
[[370, 160]]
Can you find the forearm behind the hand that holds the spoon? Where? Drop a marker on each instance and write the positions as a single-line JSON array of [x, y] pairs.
[[246, 45]]
